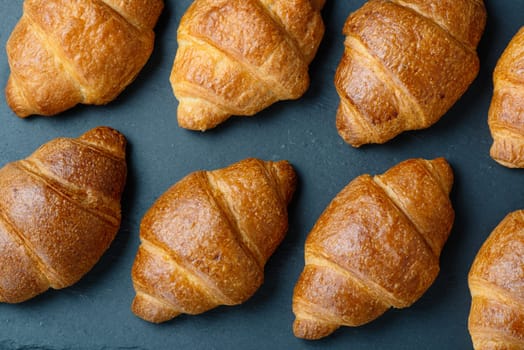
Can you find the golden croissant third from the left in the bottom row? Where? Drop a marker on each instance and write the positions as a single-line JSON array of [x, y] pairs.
[[376, 246]]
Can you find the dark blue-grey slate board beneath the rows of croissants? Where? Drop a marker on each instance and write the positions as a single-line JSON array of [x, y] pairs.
[[95, 313]]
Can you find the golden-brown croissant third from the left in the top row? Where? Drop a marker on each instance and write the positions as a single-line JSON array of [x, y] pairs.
[[404, 65]]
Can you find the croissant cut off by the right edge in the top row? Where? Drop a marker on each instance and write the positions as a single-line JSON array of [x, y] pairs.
[[506, 114]]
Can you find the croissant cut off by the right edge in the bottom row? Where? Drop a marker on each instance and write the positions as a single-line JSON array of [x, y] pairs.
[[496, 282]]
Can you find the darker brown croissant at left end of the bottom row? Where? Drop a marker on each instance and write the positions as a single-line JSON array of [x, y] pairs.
[[59, 211]]
